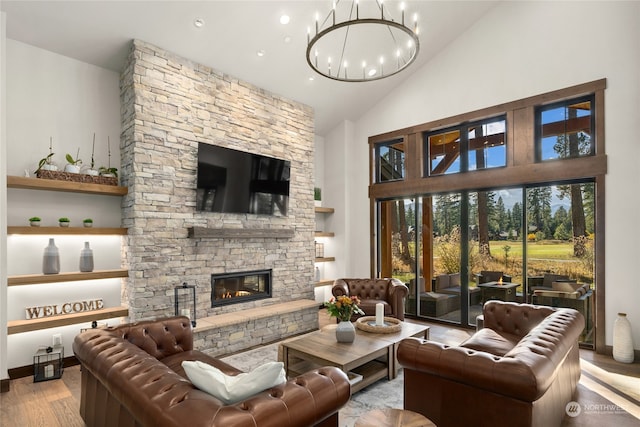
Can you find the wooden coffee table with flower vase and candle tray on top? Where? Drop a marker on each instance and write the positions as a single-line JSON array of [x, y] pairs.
[[371, 356]]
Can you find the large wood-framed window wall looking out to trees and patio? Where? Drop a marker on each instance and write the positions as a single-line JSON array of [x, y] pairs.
[[442, 226]]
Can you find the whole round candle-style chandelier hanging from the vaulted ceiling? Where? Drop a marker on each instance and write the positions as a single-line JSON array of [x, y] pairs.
[[351, 48]]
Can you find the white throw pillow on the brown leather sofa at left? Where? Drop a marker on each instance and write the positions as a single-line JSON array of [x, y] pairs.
[[234, 388]]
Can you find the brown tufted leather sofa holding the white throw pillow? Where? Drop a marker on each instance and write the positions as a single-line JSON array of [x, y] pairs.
[[132, 376]]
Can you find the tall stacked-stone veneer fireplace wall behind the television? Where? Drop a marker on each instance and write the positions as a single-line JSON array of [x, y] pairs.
[[169, 104]]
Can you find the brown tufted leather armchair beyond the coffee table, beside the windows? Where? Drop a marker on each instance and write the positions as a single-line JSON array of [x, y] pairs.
[[390, 292]]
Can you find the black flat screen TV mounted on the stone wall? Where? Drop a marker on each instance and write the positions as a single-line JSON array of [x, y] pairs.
[[235, 181]]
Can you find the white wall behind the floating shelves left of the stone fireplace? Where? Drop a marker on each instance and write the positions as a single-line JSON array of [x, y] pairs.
[[49, 95]]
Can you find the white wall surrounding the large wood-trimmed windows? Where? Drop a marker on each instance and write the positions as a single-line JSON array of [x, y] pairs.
[[521, 49]]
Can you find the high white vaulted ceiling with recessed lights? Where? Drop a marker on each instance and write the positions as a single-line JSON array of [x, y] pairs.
[[99, 32]]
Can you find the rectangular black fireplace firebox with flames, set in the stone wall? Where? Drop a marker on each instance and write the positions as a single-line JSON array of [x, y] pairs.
[[232, 288]]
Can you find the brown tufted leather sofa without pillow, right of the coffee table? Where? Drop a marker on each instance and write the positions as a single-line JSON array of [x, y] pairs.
[[521, 369]]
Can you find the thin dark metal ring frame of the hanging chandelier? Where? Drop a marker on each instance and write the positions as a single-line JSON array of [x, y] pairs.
[[341, 73]]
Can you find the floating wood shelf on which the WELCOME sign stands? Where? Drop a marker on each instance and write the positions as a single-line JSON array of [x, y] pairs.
[[28, 325]]
